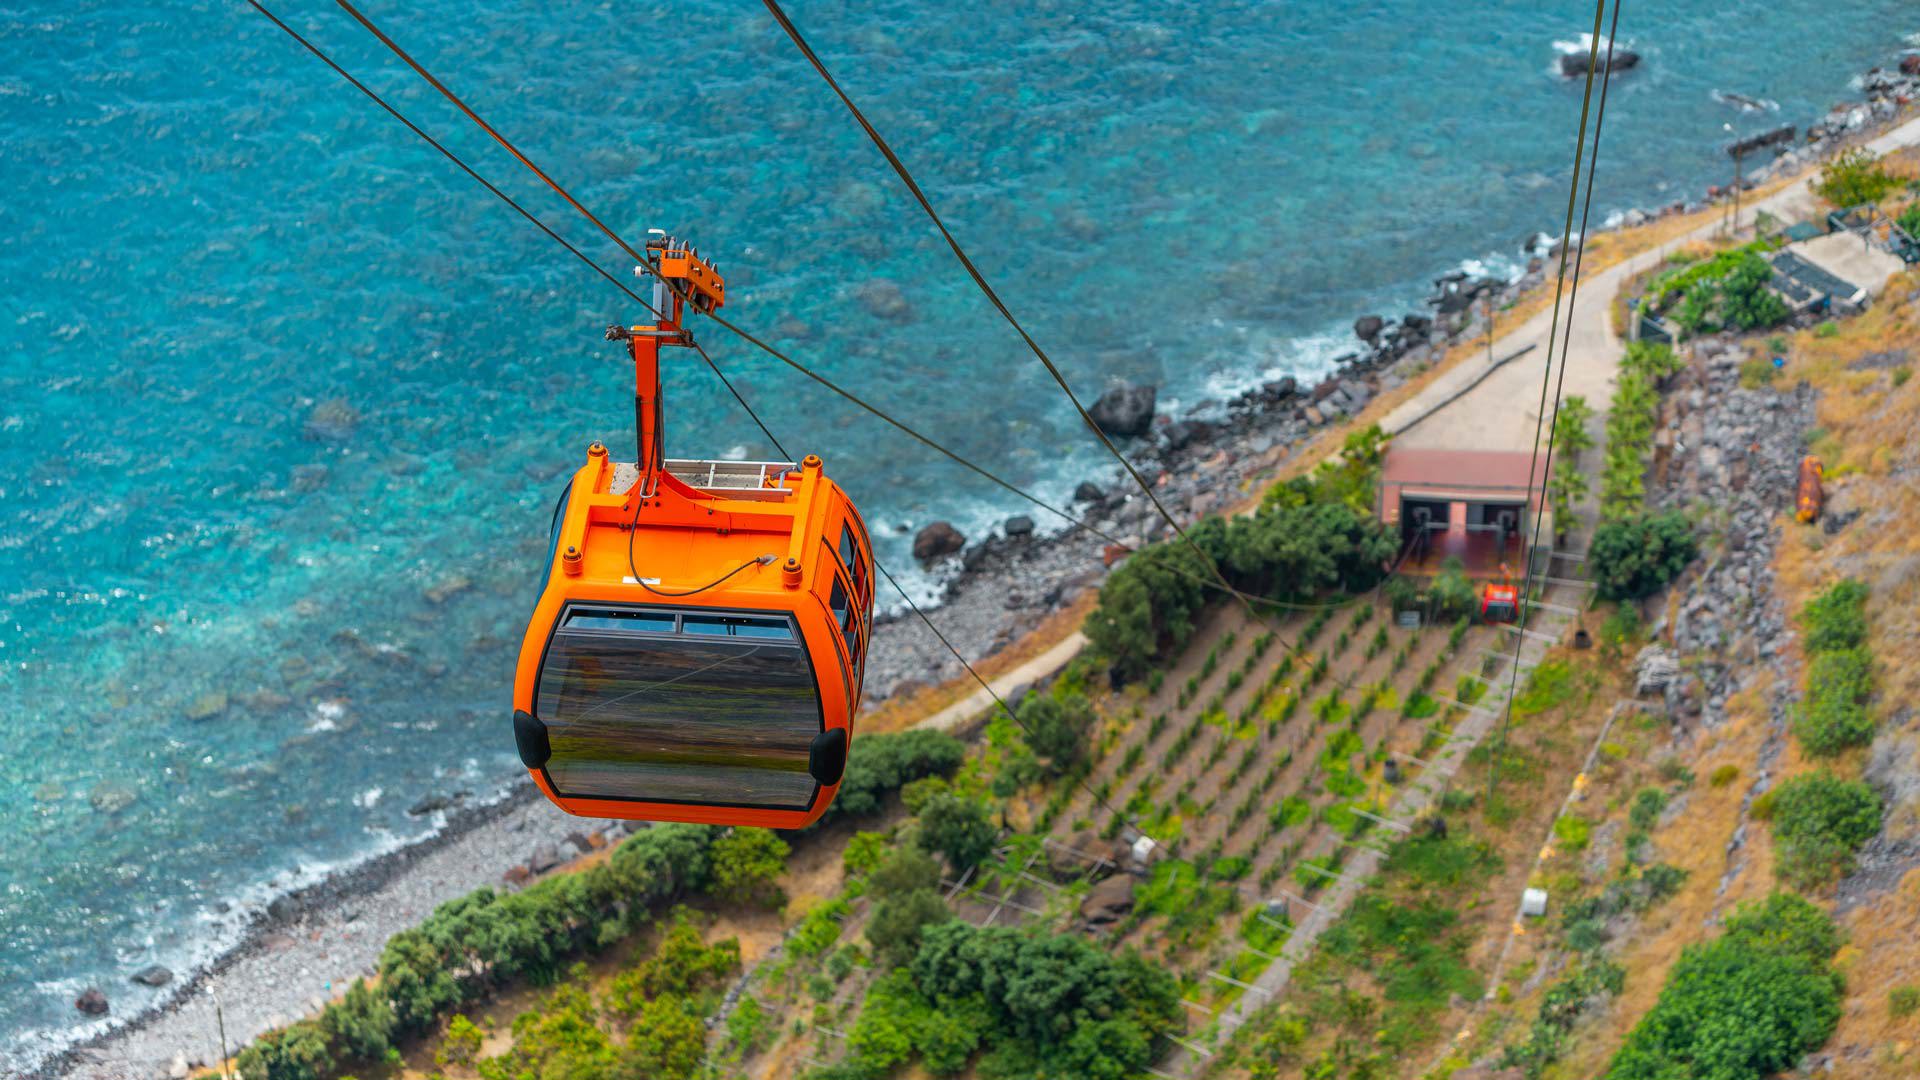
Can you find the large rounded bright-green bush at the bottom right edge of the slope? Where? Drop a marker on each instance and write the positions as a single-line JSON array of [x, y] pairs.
[[1746, 1004]]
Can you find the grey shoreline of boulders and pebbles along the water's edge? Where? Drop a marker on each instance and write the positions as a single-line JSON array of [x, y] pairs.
[[996, 589]]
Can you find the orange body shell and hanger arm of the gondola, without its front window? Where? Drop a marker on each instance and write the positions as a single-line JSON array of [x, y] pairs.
[[686, 537]]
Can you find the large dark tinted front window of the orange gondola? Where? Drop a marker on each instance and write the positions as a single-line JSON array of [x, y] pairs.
[[677, 708]]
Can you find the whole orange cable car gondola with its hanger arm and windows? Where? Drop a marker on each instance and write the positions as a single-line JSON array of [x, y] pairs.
[[700, 643]]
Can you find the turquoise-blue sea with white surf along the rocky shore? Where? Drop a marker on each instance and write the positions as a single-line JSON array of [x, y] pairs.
[[285, 401]]
